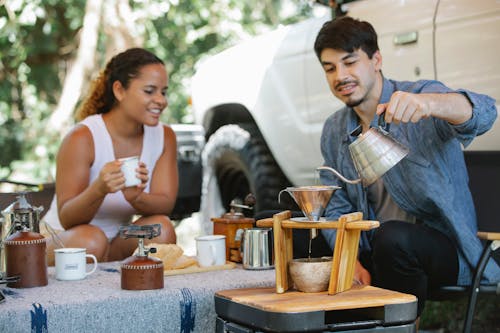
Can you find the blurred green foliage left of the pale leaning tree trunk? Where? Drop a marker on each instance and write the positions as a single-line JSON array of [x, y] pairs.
[[36, 38]]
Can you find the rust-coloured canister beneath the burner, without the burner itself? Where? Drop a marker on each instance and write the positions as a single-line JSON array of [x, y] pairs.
[[142, 273]]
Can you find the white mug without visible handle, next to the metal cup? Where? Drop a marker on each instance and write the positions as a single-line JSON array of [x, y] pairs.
[[211, 250]]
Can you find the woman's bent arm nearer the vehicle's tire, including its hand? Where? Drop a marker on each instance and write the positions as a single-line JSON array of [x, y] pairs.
[[164, 182]]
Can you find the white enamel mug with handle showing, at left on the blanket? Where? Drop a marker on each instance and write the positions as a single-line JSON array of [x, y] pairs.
[[71, 263]]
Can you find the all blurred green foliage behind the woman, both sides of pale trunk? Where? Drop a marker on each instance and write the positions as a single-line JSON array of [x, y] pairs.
[[39, 37]]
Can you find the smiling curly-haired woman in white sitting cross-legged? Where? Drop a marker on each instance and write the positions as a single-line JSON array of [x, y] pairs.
[[119, 118]]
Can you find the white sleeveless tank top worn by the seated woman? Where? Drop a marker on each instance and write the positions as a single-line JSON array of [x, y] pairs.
[[115, 210]]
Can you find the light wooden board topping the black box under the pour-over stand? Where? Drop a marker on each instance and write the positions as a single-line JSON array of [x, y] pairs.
[[295, 301]]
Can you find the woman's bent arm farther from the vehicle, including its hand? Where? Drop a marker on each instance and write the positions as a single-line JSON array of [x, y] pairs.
[[78, 201]]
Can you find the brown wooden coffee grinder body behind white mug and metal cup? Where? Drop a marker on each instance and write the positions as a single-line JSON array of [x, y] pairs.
[[232, 225]]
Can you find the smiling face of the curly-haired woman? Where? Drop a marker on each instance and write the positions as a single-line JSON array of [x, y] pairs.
[[146, 96]]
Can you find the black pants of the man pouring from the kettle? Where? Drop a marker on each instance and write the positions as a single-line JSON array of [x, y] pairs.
[[411, 258]]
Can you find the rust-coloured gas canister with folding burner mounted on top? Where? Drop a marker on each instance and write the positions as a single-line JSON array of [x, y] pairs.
[[139, 271]]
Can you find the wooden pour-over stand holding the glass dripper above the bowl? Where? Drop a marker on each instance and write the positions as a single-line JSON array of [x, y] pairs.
[[348, 227]]
